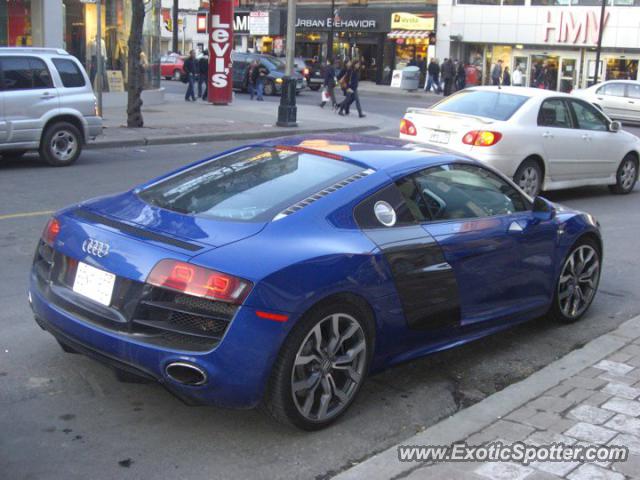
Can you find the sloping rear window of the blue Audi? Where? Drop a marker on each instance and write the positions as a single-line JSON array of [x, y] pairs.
[[251, 185]]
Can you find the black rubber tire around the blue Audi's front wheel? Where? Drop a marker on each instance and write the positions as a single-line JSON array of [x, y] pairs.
[[557, 312]]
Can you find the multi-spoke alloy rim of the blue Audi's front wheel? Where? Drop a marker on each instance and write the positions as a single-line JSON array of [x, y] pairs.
[[578, 281]]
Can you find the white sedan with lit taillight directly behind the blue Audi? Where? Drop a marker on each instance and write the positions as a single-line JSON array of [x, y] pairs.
[[544, 140]]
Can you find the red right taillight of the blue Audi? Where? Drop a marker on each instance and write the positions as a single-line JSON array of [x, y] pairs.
[[198, 281]]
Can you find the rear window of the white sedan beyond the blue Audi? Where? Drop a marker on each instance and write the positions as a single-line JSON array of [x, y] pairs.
[[495, 105]]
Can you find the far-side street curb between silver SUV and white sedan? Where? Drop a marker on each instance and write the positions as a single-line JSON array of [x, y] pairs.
[[213, 137]]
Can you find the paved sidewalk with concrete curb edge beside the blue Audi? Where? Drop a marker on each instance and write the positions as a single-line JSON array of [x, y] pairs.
[[588, 397]]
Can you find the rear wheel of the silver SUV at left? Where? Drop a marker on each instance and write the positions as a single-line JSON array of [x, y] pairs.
[[61, 144]]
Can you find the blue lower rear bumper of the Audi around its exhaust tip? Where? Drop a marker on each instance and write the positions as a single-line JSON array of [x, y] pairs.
[[237, 369]]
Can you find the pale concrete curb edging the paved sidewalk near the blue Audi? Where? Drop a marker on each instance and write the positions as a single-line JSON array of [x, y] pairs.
[[385, 465]]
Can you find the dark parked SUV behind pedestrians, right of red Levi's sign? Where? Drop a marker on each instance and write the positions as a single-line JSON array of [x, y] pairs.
[[273, 82]]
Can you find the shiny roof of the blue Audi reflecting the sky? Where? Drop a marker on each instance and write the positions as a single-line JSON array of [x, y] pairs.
[[379, 153]]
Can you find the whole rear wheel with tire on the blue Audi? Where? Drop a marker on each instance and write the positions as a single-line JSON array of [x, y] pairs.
[[321, 367]]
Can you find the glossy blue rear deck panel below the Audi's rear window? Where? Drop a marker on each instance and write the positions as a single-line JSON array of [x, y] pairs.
[[130, 209]]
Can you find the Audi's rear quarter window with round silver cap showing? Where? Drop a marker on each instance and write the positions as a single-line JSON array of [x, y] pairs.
[[385, 208]]
